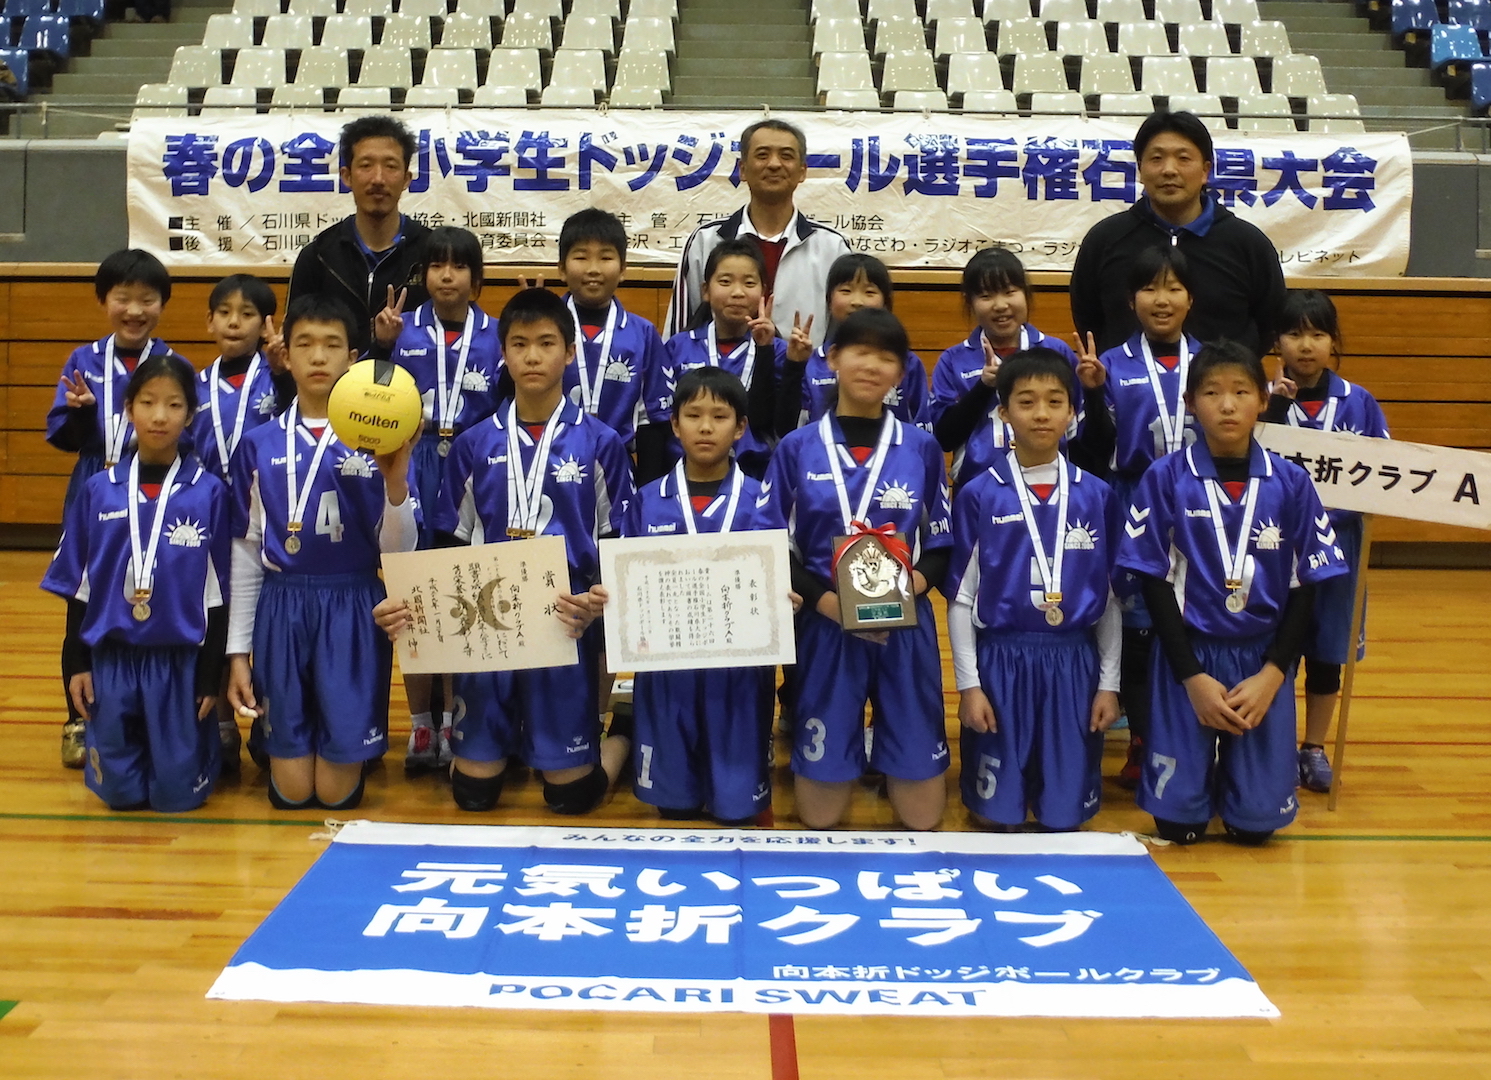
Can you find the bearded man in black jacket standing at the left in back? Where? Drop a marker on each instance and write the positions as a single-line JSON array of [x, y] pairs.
[[372, 260]]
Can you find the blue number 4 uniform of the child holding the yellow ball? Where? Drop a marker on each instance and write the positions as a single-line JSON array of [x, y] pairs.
[[305, 594]]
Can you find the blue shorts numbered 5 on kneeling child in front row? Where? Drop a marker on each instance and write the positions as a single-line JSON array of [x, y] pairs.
[[1043, 756]]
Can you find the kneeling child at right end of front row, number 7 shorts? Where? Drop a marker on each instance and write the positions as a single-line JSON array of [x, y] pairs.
[[1229, 544]]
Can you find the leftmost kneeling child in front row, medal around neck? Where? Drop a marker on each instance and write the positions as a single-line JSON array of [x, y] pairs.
[[144, 566]]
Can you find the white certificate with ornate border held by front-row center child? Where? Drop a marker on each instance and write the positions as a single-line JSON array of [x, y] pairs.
[[699, 602]]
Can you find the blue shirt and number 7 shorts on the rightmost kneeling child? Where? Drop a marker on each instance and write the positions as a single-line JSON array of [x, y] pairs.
[[1185, 529]]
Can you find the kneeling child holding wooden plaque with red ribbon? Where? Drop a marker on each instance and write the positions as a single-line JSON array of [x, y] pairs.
[[866, 500]]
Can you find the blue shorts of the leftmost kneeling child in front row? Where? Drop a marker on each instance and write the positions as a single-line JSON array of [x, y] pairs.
[[145, 744]]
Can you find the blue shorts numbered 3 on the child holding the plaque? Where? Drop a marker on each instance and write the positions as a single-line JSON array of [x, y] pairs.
[[903, 679]]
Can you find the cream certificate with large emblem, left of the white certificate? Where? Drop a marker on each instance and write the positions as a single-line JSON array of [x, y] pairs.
[[490, 608]]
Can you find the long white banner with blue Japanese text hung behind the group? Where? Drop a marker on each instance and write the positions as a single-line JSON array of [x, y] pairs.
[[915, 190]]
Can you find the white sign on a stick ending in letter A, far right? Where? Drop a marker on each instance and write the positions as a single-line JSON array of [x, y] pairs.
[[1414, 481]]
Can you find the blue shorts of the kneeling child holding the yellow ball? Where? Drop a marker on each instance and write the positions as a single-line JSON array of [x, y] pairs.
[[321, 668]]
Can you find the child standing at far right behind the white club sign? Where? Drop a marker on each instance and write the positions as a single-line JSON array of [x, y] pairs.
[[1310, 395]]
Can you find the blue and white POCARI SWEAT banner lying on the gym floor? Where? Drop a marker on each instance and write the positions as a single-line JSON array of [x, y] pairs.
[[946, 924]]
